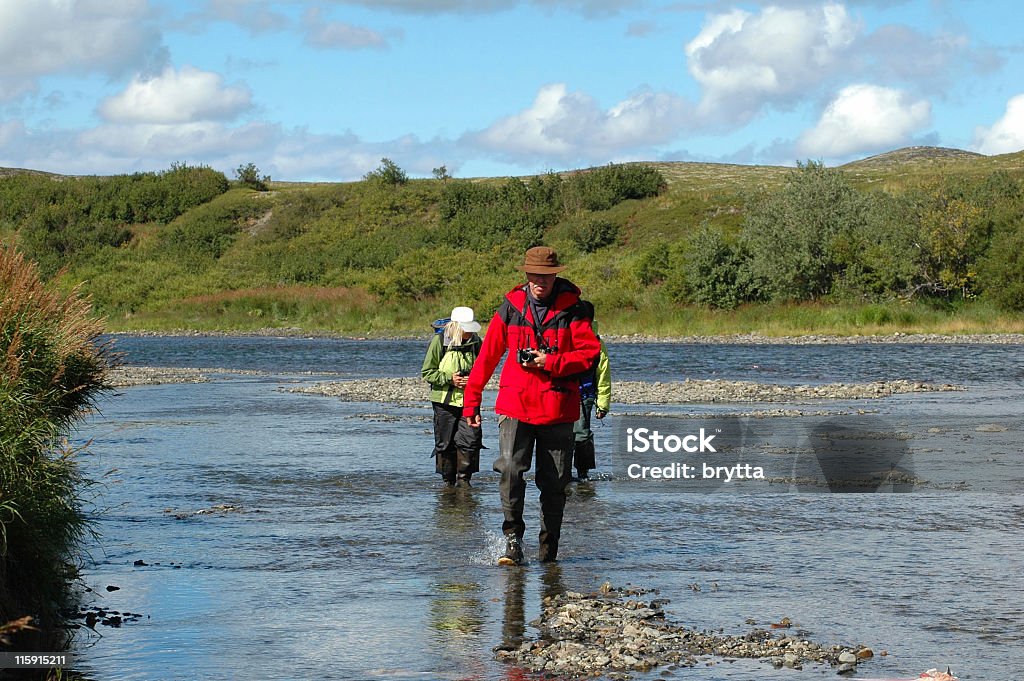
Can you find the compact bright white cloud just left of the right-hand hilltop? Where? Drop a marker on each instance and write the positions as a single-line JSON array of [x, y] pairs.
[[865, 118]]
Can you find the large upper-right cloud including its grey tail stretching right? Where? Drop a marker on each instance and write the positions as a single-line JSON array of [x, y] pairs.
[[787, 52]]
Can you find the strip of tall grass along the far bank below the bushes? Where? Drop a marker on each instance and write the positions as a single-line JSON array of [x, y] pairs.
[[342, 313]]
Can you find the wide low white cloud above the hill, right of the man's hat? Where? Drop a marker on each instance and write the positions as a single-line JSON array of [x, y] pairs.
[[568, 126]]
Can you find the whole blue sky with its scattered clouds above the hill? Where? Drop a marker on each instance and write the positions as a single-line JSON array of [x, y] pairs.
[[323, 91]]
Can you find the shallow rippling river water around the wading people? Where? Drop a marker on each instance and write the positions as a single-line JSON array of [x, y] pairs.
[[344, 558]]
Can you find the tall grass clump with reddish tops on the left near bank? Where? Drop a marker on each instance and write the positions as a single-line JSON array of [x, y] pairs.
[[52, 370]]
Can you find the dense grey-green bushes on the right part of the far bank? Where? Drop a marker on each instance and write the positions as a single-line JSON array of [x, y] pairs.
[[819, 238]]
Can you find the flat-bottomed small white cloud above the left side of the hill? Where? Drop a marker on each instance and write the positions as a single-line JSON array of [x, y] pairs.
[[177, 97]]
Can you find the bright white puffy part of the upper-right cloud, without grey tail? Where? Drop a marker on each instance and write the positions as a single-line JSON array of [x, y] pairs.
[[744, 61]]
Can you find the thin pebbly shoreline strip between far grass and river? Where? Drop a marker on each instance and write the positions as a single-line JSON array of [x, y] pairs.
[[733, 339]]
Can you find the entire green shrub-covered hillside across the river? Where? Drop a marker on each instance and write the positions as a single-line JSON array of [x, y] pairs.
[[916, 240]]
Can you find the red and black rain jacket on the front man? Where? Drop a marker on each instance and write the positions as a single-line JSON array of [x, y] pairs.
[[539, 397]]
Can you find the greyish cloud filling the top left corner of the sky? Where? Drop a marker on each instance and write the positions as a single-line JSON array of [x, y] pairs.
[[41, 37]]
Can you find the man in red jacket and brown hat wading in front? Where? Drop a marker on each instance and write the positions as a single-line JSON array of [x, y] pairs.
[[550, 342]]
